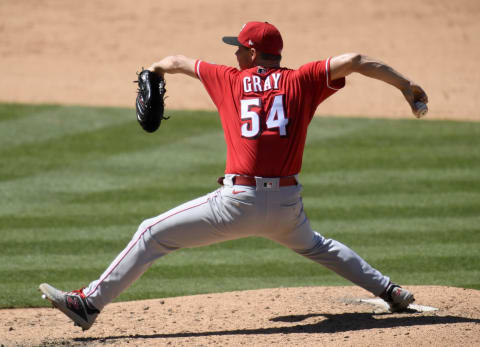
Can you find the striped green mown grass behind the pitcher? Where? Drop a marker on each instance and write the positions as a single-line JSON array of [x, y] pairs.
[[75, 182]]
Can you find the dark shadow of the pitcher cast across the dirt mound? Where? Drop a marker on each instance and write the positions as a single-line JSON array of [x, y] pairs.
[[334, 323]]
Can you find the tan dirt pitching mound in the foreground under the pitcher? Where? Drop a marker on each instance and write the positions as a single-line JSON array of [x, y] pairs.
[[311, 316]]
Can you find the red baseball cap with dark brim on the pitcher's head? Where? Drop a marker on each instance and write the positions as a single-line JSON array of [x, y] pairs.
[[262, 36]]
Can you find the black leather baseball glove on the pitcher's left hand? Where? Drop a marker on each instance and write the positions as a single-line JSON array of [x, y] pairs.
[[150, 103]]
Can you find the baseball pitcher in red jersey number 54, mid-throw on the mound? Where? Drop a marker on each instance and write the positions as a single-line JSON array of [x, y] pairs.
[[265, 110]]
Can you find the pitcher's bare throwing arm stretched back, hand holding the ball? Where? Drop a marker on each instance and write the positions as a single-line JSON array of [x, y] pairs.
[[345, 64]]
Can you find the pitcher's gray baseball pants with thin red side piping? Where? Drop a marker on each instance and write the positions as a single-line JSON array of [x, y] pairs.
[[232, 212]]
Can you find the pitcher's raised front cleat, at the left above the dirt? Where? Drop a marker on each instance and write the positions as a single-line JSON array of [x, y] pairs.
[[73, 304]]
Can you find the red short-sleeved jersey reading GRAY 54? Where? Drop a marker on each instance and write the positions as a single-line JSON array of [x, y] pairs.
[[265, 113]]
